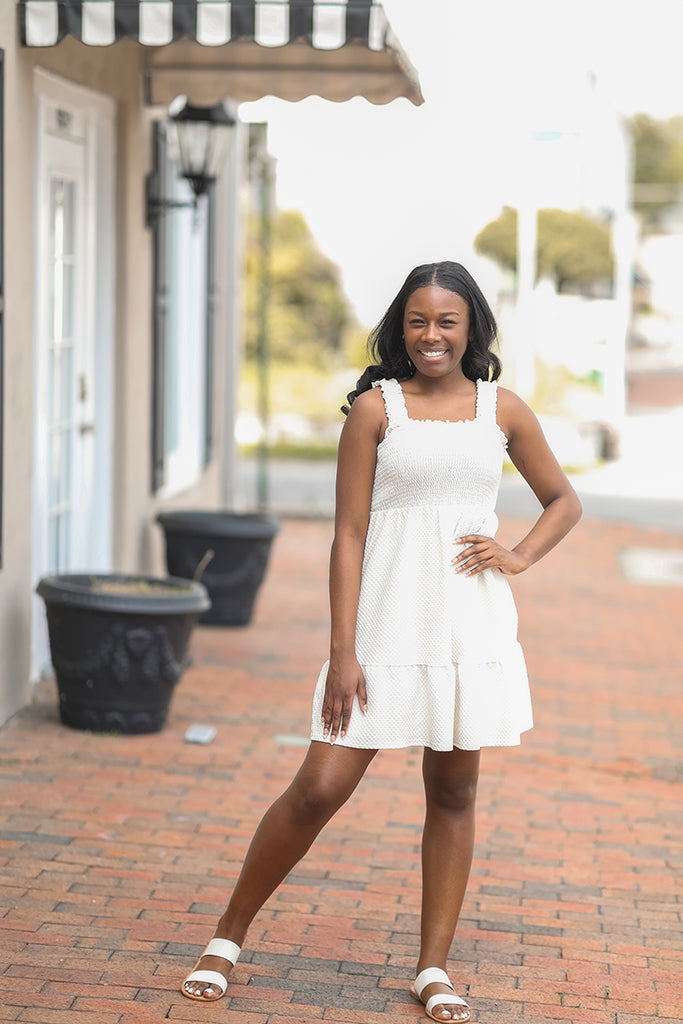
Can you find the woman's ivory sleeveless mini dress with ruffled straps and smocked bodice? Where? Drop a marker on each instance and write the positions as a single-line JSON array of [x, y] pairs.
[[439, 650]]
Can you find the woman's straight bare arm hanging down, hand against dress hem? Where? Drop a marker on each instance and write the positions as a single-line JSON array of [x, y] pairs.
[[356, 474]]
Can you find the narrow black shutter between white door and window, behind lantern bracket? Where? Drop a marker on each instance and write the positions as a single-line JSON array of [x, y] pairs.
[[156, 184]]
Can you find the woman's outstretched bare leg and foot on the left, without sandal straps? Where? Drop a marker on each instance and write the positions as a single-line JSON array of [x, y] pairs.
[[326, 781]]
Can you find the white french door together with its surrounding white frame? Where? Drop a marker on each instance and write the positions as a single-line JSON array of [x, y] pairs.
[[72, 463]]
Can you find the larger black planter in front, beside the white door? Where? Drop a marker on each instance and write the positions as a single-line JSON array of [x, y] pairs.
[[119, 647]]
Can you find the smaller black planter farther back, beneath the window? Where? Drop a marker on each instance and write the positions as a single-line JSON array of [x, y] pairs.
[[241, 545]]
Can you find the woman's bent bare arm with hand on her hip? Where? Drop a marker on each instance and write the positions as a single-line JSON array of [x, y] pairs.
[[562, 509]]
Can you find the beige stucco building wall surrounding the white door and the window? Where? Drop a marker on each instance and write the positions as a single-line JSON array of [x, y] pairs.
[[137, 543]]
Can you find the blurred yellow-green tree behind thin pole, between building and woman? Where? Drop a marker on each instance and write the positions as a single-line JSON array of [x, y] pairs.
[[310, 314]]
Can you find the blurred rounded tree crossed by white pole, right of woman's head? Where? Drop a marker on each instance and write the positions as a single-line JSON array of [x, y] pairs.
[[574, 249]]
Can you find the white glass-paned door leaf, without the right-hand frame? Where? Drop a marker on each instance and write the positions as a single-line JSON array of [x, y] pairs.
[[64, 433]]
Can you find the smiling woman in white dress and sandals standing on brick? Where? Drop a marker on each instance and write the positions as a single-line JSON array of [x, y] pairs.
[[424, 645]]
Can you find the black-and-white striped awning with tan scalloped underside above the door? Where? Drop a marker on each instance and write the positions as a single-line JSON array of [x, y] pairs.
[[245, 50]]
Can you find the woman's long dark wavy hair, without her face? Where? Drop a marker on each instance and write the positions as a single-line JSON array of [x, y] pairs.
[[386, 344]]
